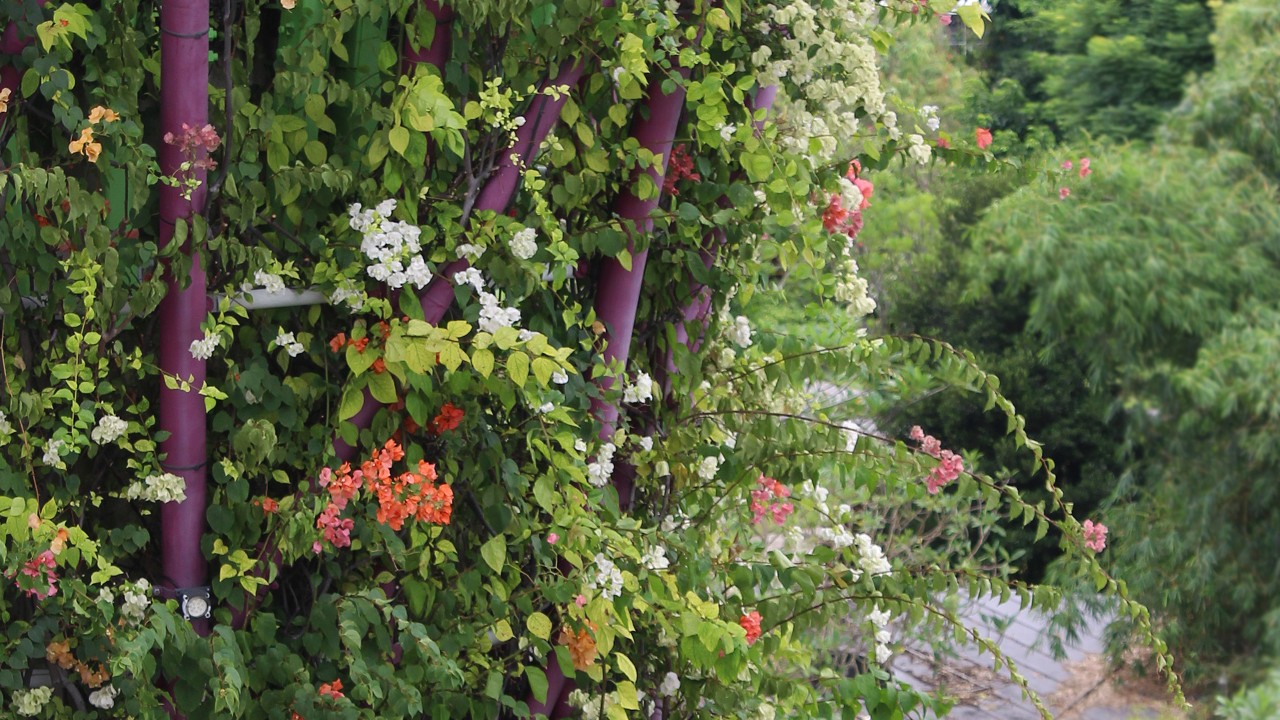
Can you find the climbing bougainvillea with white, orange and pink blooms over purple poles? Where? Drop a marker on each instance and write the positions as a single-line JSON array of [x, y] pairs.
[[377, 359]]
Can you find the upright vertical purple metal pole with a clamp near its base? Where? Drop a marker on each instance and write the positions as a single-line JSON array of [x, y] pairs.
[[184, 101]]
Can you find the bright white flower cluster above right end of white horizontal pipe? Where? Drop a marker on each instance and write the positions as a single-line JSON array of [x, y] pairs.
[[394, 247]]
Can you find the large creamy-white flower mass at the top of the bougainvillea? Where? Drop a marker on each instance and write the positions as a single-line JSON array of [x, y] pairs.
[[825, 51]]
